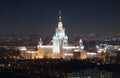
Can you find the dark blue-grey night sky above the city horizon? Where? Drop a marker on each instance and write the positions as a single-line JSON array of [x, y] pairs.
[[41, 16]]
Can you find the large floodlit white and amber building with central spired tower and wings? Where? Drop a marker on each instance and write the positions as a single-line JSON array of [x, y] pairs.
[[59, 49]]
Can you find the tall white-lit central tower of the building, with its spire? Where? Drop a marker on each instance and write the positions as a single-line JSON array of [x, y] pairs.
[[59, 39]]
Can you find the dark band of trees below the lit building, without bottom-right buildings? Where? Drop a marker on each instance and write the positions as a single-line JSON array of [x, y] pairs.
[[51, 67]]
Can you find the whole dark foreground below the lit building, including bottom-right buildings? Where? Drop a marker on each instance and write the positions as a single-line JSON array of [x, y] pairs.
[[57, 68]]
